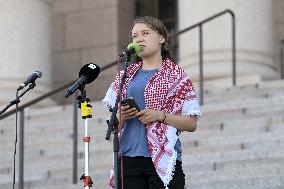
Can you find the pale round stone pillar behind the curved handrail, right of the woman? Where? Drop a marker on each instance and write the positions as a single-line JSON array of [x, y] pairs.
[[255, 46]]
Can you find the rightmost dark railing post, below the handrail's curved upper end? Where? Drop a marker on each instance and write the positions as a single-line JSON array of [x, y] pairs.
[[234, 49]]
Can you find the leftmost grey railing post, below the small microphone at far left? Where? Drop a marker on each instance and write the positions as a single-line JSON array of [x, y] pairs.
[[21, 150]]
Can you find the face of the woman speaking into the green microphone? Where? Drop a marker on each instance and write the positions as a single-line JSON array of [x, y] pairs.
[[149, 40]]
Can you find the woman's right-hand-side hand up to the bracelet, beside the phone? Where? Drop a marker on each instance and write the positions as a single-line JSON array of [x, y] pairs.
[[148, 116]]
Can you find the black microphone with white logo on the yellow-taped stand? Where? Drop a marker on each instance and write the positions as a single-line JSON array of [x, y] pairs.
[[87, 74]]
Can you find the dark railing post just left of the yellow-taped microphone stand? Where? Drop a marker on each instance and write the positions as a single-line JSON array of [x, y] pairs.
[[75, 142]]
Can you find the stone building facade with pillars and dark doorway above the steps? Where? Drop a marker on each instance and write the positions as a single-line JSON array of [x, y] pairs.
[[60, 36]]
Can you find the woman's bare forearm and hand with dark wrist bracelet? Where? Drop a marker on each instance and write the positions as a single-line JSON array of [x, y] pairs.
[[180, 122]]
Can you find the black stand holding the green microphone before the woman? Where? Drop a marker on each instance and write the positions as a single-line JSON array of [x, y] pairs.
[[113, 122]]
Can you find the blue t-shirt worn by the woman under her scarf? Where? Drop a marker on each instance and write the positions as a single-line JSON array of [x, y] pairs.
[[134, 137]]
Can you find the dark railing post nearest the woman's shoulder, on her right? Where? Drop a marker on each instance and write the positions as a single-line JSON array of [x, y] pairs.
[[201, 64]]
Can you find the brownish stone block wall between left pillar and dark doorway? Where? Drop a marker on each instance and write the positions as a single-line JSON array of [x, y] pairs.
[[87, 31]]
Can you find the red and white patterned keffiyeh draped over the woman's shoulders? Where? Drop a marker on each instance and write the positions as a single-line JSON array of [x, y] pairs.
[[169, 90]]
